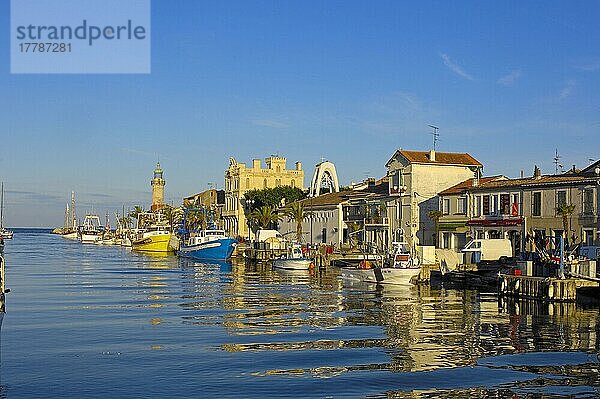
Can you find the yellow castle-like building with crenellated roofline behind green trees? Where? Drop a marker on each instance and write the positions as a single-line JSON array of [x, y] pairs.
[[240, 179]]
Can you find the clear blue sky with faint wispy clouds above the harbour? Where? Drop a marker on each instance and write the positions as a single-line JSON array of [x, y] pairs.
[[351, 81]]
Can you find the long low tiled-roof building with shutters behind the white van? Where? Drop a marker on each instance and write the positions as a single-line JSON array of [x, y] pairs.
[[516, 208]]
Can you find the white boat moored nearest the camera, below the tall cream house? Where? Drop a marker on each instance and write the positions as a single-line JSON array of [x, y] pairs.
[[400, 269]]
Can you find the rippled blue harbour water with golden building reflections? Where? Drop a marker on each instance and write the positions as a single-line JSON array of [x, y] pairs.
[[90, 321]]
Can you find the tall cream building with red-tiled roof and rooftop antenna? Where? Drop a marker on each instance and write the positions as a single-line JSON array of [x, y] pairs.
[[416, 179]]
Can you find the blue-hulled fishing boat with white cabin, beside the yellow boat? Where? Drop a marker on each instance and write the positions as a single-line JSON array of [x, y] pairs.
[[205, 244]]
